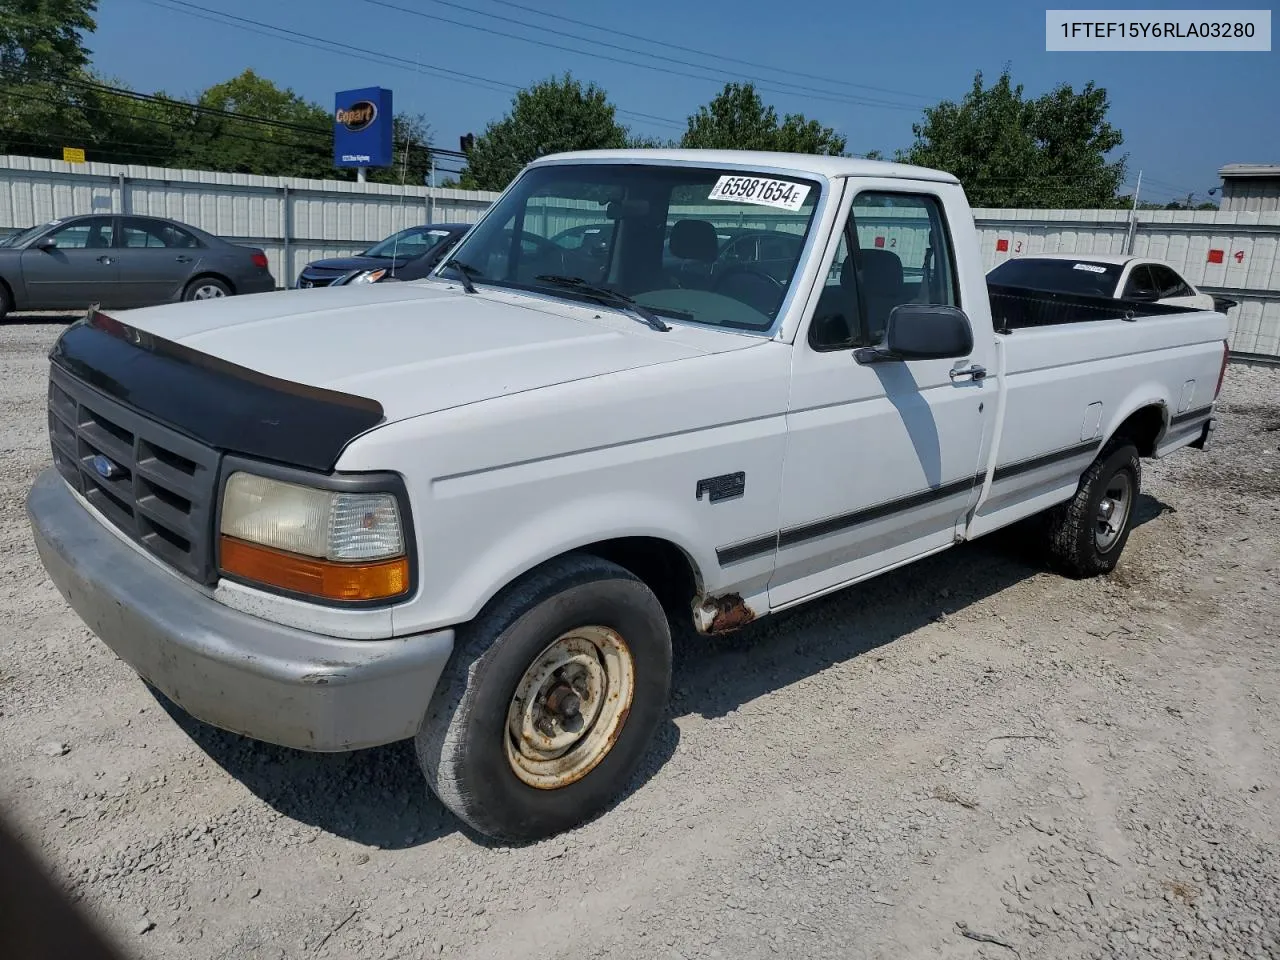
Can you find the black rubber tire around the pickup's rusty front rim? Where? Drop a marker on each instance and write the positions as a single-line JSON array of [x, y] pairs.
[[461, 744]]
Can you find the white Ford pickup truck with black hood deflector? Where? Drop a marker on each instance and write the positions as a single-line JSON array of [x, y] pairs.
[[465, 509]]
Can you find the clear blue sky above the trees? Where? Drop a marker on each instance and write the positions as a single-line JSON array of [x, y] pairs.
[[1183, 116]]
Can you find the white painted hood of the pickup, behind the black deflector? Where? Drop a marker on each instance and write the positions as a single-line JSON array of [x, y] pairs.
[[422, 348]]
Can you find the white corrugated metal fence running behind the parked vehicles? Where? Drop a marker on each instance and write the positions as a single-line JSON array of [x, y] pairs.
[[1232, 254]]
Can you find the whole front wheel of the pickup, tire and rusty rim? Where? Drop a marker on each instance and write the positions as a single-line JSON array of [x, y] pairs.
[[550, 702]]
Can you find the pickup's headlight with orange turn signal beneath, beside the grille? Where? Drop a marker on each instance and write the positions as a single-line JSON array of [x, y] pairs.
[[332, 545]]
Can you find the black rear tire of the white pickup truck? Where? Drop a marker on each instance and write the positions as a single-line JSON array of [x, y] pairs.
[[1075, 528]]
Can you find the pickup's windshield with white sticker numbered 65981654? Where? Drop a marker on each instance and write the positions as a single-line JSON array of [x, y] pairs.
[[664, 236]]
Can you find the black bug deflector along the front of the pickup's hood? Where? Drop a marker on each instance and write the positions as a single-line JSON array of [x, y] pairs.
[[213, 401]]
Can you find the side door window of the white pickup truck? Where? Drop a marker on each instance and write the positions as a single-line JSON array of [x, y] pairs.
[[895, 250]]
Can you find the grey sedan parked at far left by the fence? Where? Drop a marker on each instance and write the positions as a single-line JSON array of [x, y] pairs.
[[124, 262]]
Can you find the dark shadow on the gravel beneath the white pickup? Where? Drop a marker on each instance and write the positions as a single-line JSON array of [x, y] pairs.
[[378, 797]]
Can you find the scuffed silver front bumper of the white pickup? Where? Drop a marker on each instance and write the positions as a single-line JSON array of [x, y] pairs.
[[226, 668]]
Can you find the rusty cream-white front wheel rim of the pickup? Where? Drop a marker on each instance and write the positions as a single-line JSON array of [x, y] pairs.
[[570, 707]]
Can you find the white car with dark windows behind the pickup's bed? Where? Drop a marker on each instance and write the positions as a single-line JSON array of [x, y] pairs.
[[1103, 276]]
